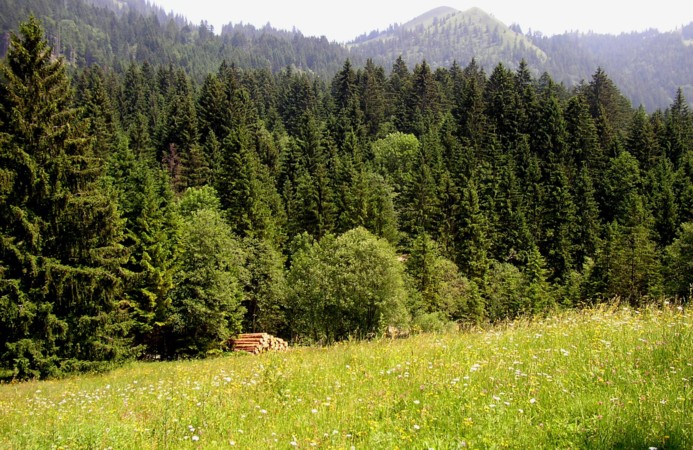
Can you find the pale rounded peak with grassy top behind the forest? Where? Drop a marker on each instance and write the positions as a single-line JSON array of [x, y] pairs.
[[444, 35]]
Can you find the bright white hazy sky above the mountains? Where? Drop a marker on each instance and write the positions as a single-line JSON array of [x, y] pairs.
[[346, 19]]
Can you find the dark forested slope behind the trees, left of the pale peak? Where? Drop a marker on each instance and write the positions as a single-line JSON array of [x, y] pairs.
[[114, 34]]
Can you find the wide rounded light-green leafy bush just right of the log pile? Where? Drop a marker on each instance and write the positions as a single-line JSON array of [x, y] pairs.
[[348, 286]]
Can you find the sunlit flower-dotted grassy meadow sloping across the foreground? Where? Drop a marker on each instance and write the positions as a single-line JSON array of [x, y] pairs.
[[595, 379]]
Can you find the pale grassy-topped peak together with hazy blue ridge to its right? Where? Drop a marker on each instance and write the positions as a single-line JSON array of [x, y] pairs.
[[648, 66]]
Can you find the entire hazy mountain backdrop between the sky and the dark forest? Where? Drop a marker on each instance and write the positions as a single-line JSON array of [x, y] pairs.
[[649, 66]]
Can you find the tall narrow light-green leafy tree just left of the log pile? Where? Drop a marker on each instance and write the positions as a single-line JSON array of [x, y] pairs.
[[205, 303]]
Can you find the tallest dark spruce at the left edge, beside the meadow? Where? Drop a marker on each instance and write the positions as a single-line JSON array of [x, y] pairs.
[[60, 246]]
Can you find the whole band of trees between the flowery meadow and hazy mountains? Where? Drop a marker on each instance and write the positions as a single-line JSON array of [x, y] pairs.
[[146, 215]]
